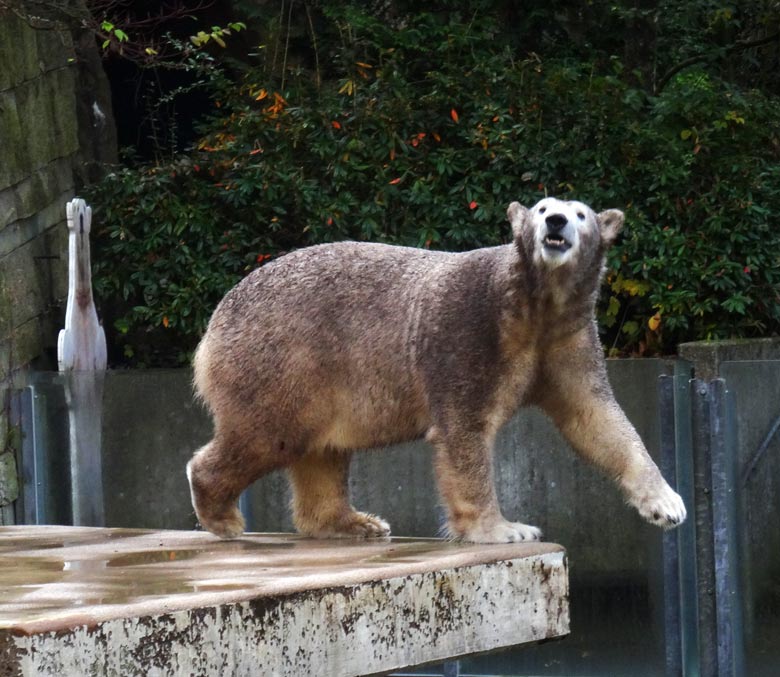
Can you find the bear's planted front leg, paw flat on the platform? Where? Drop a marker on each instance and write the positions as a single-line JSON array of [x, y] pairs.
[[464, 471]]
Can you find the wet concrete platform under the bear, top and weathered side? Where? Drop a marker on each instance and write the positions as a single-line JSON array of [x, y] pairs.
[[63, 580]]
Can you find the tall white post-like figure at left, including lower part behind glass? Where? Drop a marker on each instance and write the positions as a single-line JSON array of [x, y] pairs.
[[81, 354]]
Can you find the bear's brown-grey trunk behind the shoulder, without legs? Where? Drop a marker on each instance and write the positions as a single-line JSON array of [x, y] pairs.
[[326, 337]]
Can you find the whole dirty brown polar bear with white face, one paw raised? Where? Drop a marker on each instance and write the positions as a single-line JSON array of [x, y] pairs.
[[345, 346]]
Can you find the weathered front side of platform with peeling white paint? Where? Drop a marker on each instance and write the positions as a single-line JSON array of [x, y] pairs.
[[352, 630]]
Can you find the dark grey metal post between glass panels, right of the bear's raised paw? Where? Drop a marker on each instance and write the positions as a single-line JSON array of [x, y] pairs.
[[705, 561]]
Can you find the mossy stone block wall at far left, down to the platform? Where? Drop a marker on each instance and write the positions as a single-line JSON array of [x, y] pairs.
[[56, 126]]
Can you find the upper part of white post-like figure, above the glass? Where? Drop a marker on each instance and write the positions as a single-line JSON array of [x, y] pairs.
[[82, 344]]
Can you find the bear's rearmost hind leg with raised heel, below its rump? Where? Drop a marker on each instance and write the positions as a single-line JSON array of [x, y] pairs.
[[218, 473]]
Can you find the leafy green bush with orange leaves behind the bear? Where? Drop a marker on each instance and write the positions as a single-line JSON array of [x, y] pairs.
[[421, 136]]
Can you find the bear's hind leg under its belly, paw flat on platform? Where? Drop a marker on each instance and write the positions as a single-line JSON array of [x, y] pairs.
[[320, 501]]
